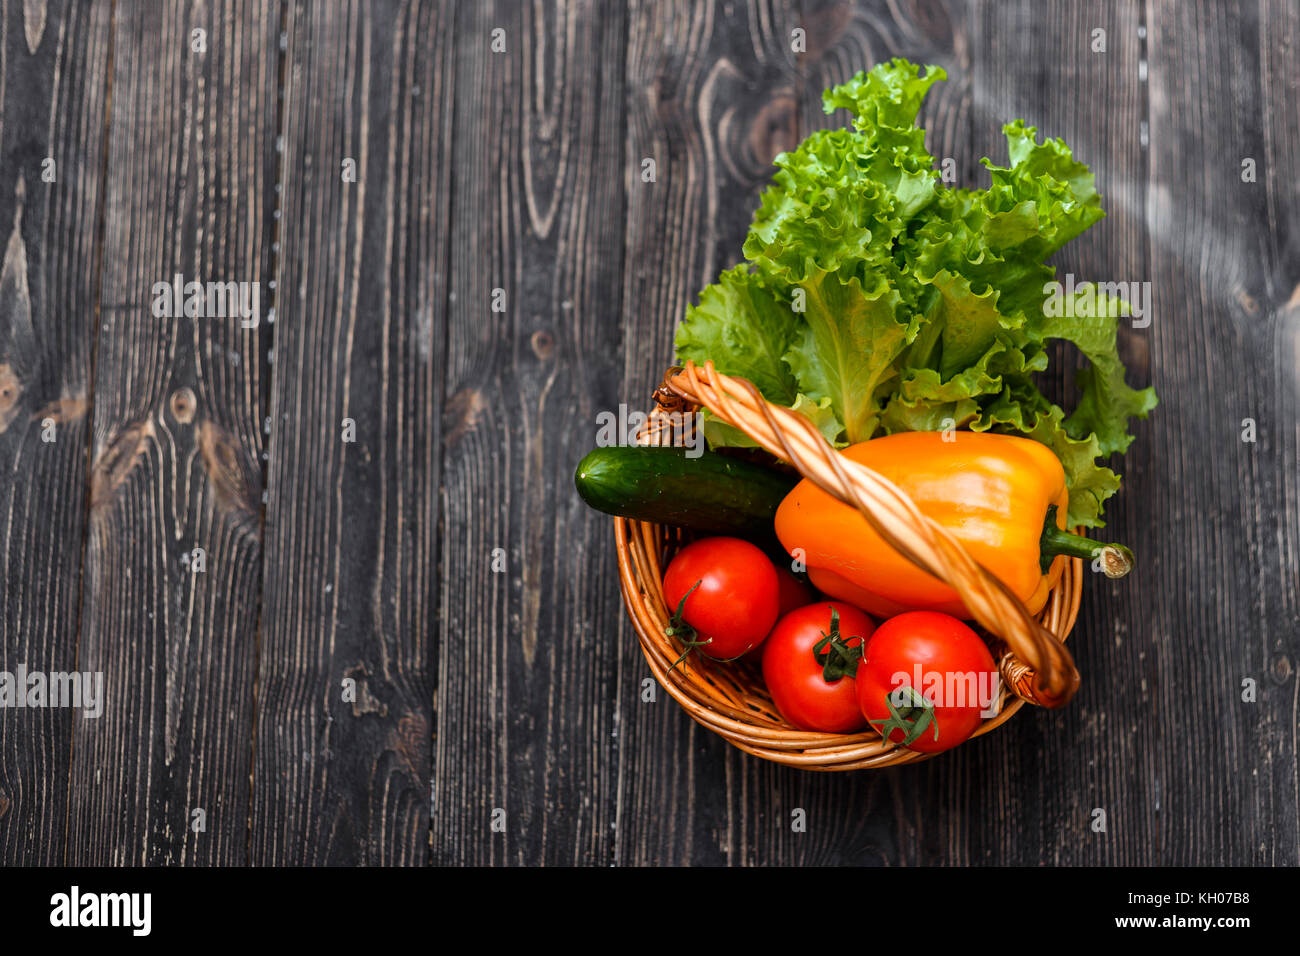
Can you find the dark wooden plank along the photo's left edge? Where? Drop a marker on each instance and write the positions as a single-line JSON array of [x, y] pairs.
[[54, 75]]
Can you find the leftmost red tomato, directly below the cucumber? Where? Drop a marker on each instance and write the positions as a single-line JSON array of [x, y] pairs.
[[735, 599]]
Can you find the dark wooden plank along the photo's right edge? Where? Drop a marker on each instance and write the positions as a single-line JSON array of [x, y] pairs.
[[1225, 267]]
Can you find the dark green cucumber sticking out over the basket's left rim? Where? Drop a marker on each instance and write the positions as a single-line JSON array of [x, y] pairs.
[[712, 494]]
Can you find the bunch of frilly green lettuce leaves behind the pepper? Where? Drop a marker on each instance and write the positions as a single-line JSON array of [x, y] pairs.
[[876, 300]]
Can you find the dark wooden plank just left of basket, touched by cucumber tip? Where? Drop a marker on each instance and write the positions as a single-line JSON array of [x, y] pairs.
[[528, 684]]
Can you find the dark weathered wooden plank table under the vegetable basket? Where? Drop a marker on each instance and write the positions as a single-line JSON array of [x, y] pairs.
[[135, 149]]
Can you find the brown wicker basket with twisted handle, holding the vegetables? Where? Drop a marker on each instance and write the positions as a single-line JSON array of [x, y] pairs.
[[731, 698]]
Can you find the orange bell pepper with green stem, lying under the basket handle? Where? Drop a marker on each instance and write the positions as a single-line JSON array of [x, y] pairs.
[[1003, 498]]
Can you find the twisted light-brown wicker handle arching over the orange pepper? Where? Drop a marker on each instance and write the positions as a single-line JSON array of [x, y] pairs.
[[1051, 678]]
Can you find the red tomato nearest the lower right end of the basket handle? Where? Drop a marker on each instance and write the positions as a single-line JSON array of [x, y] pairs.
[[930, 663]]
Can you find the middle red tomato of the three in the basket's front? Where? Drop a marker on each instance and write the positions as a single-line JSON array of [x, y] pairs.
[[795, 678]]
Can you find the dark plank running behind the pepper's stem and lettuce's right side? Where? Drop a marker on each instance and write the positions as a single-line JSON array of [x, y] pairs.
[[1042, 777]]
